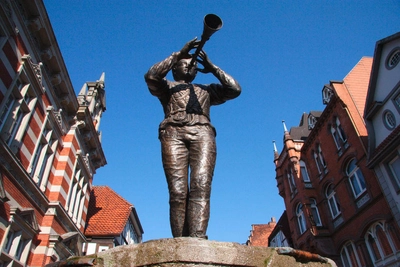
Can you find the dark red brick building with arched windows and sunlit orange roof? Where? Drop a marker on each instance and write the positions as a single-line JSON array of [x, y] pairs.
[[334, 204]]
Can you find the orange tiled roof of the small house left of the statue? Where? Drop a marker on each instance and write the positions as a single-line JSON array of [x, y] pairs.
[[108, 212]]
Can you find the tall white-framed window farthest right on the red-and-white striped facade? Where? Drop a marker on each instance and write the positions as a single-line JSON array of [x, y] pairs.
[[76, 195]]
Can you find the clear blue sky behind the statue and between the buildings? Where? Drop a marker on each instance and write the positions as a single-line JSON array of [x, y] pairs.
[[281, 52]]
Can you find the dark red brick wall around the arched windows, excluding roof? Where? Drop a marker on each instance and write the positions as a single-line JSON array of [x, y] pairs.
[[328, 240]]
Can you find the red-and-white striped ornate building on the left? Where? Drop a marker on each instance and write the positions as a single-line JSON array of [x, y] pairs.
[[50, 143]]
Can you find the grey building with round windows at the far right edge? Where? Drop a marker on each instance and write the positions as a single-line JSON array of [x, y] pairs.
[[382, 116]]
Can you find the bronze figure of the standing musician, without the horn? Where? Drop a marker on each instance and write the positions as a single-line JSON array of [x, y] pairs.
[[187, 136]]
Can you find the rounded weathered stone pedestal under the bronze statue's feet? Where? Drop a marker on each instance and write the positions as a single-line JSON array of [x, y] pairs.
[[188, 252]]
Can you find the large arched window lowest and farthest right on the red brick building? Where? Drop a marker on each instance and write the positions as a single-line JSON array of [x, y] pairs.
[[379, 242]]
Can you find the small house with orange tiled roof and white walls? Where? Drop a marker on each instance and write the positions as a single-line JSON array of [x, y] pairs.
[[123, 229]]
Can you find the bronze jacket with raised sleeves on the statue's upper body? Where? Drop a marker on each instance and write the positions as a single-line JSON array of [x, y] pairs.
[[188, 104]]
